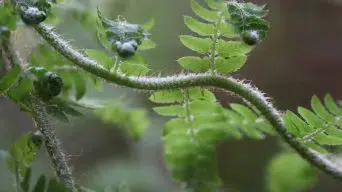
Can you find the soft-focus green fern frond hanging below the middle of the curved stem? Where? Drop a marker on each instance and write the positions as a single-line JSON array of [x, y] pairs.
[[201, 123]]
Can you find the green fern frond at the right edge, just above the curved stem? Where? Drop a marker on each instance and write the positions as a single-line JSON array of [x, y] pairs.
[[319, 127]]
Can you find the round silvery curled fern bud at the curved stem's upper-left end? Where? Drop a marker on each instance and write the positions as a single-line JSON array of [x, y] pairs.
[[32, 16]]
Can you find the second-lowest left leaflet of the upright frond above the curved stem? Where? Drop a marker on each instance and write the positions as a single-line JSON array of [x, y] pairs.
[[199, 45]]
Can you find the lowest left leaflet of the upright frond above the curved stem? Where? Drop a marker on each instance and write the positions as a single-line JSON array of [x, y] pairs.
[[195, 64]]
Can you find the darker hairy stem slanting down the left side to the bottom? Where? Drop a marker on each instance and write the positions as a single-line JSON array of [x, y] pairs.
[[39, 114]]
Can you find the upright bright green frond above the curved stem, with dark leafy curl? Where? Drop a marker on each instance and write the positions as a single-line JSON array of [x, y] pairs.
[[223, 20]]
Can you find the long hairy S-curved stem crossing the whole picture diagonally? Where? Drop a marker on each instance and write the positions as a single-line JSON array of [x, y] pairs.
[[245, 91]]
